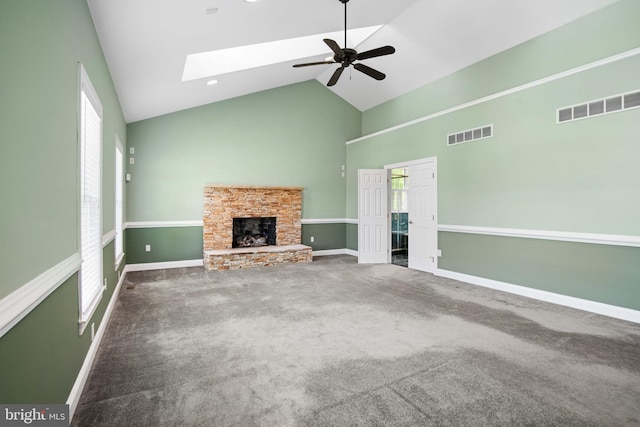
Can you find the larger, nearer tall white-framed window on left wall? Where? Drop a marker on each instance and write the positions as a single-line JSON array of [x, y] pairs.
[[90, 285]]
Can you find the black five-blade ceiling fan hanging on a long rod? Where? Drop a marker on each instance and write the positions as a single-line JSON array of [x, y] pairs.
[[346, 57]]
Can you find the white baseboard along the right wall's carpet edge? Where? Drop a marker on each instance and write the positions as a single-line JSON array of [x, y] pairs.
[[567, 301]]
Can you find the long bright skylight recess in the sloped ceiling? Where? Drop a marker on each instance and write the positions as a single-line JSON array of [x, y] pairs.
[[207, 64]]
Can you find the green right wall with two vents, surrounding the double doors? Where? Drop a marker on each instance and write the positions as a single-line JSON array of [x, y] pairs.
[[533, 174]]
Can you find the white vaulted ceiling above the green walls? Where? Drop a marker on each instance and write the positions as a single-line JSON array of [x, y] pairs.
[[147, 42]]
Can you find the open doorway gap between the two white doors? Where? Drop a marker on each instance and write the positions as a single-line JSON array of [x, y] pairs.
[[399, 217]]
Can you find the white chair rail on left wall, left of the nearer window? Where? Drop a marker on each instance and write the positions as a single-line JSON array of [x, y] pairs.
[[15, 306]]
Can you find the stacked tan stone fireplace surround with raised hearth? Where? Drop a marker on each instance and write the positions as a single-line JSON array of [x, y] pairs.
[[222, 203]]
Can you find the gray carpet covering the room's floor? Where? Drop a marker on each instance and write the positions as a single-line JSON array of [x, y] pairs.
[[334, 343]]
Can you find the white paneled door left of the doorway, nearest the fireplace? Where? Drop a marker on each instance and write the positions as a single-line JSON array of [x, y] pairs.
[[373, 218]]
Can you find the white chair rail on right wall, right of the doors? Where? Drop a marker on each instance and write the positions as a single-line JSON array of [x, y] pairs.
[[564, 236]]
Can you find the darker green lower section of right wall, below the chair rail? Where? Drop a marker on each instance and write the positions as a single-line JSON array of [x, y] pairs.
[[609, 274]]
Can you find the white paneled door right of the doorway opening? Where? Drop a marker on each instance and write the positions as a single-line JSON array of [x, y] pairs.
[[423, 233]]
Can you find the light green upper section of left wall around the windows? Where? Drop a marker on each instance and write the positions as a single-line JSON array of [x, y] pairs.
[[41, 43]]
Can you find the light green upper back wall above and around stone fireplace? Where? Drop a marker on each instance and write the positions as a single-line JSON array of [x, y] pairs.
[[289, 136]]
